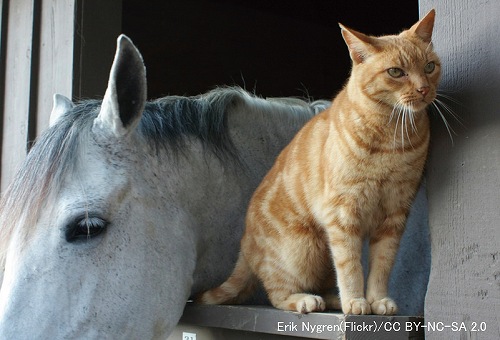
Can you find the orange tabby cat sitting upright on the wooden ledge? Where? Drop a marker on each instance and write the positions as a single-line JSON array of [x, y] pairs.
[[350, 173]]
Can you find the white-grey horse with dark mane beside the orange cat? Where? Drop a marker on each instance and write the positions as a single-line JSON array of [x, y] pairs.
[[124, 207]]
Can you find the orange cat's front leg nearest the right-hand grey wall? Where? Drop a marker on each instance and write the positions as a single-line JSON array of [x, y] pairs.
[[384, 244]]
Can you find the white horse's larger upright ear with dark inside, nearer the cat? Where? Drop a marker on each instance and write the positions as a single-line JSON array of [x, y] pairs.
[[125, 96]]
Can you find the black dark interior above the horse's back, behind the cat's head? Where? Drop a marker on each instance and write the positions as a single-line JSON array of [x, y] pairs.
[[270, 47]]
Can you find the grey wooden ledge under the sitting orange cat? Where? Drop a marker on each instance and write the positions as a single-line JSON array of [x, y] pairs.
[[268, 320]]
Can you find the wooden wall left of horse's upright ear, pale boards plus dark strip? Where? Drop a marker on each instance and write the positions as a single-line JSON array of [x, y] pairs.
[[47, 47]]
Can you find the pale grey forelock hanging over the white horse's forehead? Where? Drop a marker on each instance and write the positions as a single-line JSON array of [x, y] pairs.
[[49, 160]]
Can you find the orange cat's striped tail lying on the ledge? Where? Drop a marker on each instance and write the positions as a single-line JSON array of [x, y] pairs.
[[237, 288]]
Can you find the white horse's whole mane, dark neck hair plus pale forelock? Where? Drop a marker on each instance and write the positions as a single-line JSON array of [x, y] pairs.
[[166, 123]]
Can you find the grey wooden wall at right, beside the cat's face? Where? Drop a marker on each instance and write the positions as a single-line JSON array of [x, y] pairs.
[[464, 177]]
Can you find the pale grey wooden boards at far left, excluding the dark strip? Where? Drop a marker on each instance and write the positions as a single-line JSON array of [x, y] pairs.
[[36, 51]]
